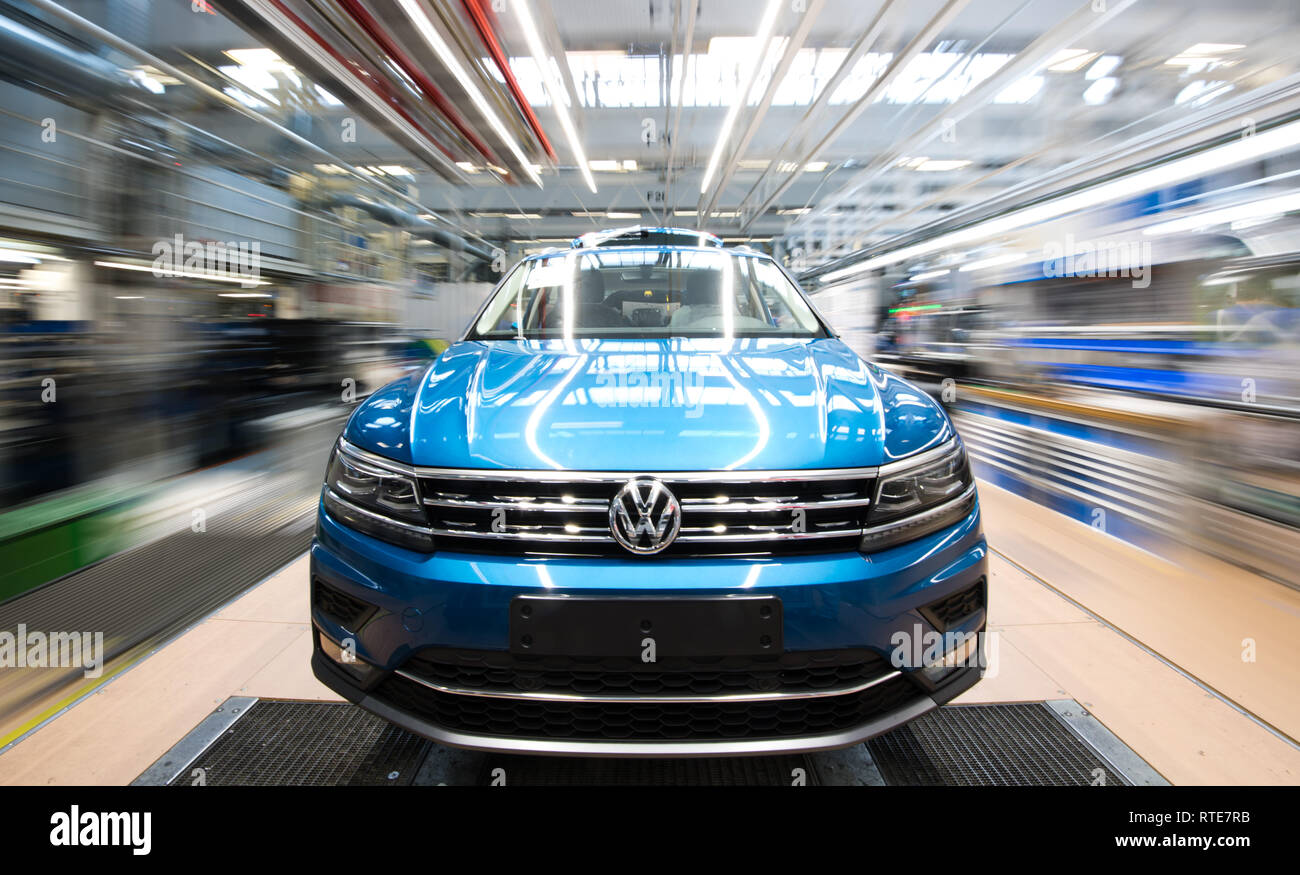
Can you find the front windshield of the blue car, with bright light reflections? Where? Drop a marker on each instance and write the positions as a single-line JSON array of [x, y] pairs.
[[648, 294]]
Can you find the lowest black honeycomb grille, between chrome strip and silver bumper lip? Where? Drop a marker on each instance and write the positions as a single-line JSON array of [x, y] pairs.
[[645, 722]]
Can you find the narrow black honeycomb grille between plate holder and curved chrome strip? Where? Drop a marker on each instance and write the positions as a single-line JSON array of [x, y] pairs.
[[791, 673]]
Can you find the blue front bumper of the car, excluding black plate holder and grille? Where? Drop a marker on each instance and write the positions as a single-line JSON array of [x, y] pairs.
[[421, 604]]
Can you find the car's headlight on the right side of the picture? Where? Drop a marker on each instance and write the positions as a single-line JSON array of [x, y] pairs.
[[916, 500]]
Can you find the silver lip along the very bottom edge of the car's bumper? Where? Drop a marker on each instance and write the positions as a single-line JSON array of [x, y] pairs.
[[720, 748]]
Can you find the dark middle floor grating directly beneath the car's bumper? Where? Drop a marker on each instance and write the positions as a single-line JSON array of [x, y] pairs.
[[704, 772]]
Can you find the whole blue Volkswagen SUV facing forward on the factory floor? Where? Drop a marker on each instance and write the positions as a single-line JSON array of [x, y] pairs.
[[649, 505]]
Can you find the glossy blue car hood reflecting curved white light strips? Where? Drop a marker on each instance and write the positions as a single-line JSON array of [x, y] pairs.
[[649, 406]]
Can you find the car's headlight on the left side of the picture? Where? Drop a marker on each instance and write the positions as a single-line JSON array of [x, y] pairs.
[[374, 500]]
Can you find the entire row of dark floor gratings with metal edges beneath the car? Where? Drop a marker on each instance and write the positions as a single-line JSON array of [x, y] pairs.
[[279, 743]]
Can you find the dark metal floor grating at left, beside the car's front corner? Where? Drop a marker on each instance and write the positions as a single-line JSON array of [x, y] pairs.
[[318, 744]]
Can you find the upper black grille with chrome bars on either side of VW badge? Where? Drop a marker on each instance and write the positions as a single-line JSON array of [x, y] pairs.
[[759, 514]]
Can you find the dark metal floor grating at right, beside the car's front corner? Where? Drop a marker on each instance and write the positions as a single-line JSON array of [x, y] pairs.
[[989, 746]]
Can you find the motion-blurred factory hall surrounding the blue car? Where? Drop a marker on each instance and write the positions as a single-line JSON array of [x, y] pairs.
[[224, 223]]
